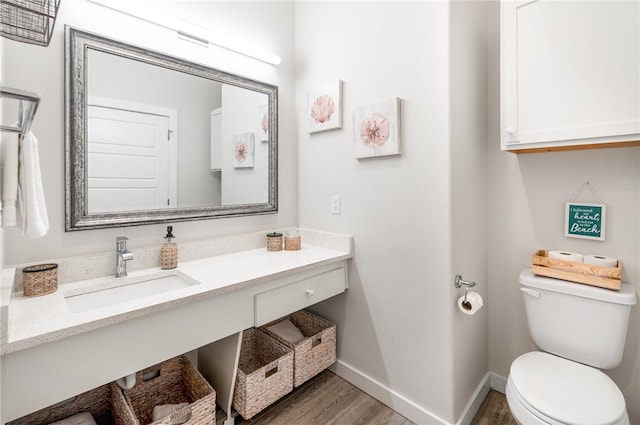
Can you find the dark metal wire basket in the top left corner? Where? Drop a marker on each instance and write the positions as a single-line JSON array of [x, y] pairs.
[[28, 21]]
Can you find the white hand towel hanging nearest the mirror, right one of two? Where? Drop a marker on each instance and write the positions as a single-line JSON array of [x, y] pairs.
[[31, 202]]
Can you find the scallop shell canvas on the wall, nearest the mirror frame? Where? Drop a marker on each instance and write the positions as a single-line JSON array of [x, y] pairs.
[[325, 107]]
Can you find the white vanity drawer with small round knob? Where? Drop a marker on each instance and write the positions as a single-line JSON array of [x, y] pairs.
[[278, 302]]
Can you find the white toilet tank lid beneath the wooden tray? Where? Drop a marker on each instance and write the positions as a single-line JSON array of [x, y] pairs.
[[626, 294]]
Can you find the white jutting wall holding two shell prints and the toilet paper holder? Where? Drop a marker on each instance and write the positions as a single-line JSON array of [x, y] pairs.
[[398, 322]]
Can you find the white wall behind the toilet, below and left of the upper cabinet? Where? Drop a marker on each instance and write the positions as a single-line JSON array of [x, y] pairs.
[[527, 193]]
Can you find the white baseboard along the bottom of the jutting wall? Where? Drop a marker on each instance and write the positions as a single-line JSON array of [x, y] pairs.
[[410, 409]]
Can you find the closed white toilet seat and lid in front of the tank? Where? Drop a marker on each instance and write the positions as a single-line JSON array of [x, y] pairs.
[[559, 391]]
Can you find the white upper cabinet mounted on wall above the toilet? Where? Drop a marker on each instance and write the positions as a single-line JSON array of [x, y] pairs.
[[570, 74]]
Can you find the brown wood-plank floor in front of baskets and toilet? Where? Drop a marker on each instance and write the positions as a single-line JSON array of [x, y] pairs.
[[329, 400]]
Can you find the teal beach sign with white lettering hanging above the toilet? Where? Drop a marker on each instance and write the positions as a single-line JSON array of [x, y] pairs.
[[585, 221]]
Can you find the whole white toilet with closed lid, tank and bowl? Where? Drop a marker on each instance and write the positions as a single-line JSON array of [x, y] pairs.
[[581, 329]]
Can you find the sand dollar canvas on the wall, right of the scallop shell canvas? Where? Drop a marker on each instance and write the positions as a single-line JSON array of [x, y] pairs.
[[377, 129]]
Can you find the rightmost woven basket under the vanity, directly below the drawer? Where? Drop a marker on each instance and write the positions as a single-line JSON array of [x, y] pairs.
[[316, 352]]
